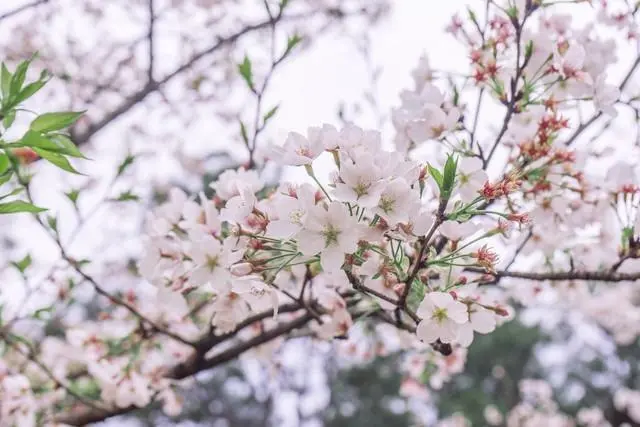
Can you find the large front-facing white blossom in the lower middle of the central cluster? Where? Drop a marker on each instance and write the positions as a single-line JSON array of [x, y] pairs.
[[331, 232]]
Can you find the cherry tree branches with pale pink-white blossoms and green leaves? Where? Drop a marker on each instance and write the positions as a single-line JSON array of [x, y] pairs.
[[492, 197]]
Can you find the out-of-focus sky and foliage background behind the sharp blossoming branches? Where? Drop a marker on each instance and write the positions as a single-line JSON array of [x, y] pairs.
[[159, 80]]
